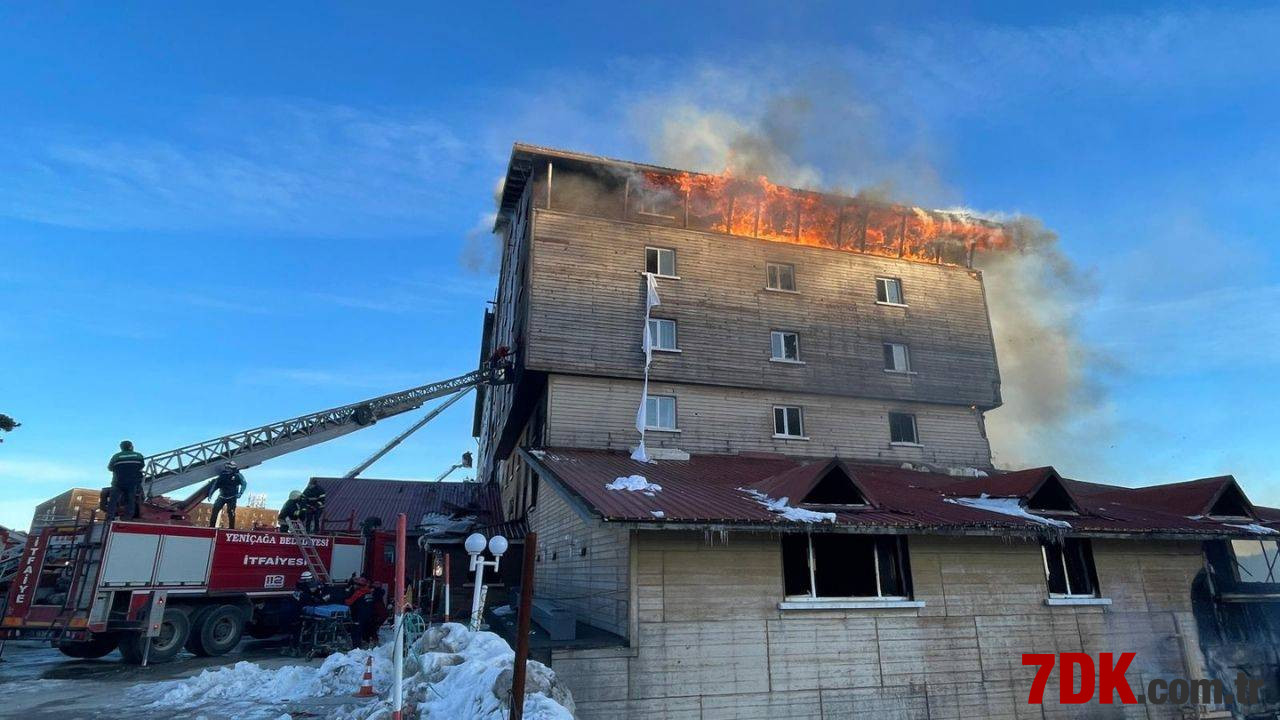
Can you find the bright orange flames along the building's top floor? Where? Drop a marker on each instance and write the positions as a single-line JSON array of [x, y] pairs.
[[771, 212]]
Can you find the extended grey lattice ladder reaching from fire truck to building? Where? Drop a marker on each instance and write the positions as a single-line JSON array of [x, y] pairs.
[[167, 472]]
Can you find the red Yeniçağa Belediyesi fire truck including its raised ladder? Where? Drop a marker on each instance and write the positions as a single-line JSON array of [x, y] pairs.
[[154, 586]]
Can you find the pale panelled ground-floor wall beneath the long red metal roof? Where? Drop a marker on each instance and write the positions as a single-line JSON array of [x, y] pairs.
[[710, 640]]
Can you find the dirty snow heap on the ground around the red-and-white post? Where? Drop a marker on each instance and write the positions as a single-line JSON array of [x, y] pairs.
[[450, 673]]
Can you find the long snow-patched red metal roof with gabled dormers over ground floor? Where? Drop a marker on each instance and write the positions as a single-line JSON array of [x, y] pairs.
[[715, 490]]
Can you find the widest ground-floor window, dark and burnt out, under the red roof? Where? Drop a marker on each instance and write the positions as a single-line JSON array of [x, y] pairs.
[[845, 567]]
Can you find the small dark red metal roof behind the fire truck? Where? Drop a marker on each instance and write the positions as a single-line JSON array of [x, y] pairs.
[[358, 499]]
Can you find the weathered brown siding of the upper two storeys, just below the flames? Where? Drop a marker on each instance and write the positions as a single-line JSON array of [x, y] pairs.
[[588, 308]]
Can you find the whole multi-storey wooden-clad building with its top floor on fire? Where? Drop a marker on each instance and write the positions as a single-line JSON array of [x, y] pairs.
[[748, 426]]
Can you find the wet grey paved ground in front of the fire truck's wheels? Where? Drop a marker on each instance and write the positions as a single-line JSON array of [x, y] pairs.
[[40, 683]]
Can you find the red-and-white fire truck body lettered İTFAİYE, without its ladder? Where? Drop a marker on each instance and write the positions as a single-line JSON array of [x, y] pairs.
[[93, 587]]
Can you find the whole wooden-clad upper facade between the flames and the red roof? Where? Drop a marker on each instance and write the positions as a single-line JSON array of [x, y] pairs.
[[572, 300]]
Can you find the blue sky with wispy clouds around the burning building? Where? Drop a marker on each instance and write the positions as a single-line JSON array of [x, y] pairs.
[[221, 216]]
